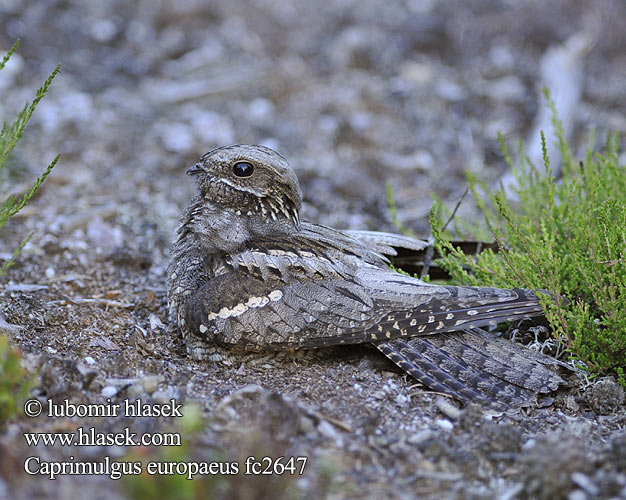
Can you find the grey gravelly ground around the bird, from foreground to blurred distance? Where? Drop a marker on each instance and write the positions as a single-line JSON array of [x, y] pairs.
[[354, 94]]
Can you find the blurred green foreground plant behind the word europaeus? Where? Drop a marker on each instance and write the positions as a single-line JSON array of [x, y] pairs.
[[192, 471]]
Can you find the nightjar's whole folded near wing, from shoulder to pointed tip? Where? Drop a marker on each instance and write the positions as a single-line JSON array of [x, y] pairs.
[[274, 296]]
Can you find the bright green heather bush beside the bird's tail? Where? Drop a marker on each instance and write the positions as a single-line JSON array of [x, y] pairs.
[[566, 237]]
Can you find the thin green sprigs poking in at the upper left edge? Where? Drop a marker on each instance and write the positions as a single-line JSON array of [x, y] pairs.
[[9, 137]]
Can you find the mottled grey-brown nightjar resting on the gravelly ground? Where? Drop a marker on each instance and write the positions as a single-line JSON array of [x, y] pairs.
[[247, 275]]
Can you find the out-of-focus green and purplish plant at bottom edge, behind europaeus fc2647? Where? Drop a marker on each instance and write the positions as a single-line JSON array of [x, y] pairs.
[[229, 475]]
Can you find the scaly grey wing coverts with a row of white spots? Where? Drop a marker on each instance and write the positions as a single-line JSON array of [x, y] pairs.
[[244, 311]]
